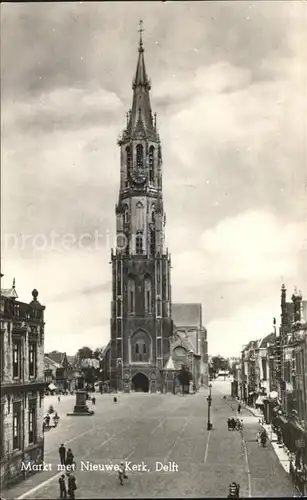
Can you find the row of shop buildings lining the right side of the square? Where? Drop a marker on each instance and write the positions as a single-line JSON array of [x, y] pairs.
[[272, 375]]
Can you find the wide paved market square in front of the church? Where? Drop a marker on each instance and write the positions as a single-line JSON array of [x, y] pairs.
[[150, 428]]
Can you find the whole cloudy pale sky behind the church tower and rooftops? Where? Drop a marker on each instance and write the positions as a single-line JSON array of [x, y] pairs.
[[229, 87]]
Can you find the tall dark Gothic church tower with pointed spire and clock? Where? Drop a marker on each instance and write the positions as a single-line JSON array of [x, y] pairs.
[[141, 324]]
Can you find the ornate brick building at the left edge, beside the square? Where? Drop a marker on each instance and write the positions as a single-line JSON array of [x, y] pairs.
[[22, 384]]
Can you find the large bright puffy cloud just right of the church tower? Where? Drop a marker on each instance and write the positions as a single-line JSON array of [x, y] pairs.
[[253, 246]]
